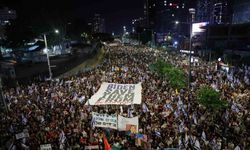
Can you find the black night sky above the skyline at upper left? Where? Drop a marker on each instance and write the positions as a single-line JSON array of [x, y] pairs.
[[115, 12]]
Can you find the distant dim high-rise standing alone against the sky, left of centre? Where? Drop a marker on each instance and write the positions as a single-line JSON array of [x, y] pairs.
[[98, 24]]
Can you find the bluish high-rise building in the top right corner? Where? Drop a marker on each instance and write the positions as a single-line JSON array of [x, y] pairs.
[[241, 13]]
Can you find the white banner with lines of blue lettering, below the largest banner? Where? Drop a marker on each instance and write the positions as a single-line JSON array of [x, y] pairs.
[[104, 120]]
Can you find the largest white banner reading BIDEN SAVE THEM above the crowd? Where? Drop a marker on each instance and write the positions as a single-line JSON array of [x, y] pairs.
[[116, 94]]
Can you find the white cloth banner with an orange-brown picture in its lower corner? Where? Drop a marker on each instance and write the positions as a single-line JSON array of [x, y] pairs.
[[128, 124]]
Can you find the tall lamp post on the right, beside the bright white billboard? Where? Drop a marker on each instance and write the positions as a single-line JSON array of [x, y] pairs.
[[192, 12]]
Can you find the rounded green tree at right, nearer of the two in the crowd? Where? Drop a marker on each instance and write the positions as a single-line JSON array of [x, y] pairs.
[[210, 98]]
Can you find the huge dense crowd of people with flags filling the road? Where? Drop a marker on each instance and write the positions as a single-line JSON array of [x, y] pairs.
[[53, 112]]
